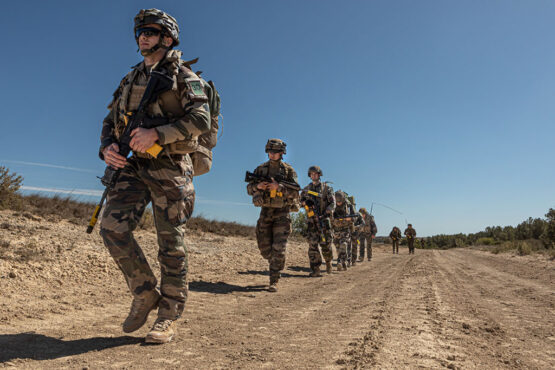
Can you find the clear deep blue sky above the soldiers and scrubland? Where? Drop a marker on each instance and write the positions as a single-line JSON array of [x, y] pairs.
[[442, 110]]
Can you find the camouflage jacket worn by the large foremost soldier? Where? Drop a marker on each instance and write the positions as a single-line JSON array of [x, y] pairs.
[[182, 113]]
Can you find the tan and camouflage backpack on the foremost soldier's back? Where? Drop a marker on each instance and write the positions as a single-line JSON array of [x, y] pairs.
[[202, 157]]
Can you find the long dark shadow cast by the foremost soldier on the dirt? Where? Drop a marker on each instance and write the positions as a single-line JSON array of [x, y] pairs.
[[41, 347]]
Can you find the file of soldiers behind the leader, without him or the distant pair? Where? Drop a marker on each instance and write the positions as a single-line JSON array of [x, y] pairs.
[[331, 216]]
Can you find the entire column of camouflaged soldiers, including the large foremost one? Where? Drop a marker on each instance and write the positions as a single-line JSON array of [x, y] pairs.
[[178, 123]]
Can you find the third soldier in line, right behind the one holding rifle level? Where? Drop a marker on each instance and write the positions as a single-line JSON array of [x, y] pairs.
[[319, 201]]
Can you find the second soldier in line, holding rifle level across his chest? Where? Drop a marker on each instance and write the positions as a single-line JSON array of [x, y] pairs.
[[277, 199]]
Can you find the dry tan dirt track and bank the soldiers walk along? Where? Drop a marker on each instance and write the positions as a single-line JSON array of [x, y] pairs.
[[63, 303]]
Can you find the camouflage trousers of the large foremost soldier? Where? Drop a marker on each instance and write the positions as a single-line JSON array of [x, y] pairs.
[[169, 187]]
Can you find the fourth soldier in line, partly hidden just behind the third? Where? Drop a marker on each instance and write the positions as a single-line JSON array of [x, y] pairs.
[[343, 224]]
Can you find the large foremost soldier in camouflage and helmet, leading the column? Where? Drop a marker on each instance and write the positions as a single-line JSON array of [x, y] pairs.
[[176, 119]]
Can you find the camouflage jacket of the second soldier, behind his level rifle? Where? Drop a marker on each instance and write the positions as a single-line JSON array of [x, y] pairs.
[[285, 197]]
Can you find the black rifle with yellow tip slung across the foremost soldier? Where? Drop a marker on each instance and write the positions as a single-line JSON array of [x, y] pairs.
[[157, 84]]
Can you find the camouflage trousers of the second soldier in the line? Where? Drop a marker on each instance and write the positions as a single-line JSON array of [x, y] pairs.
[[272, 230]]
